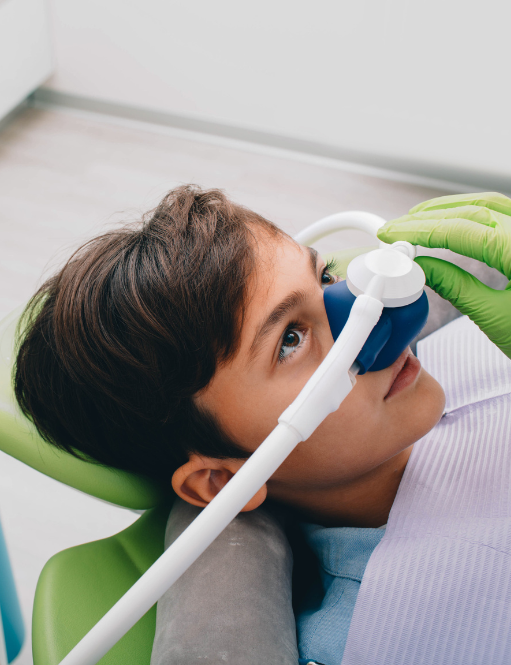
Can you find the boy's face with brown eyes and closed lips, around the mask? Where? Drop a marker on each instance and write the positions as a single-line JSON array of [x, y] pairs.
[[285, 336]]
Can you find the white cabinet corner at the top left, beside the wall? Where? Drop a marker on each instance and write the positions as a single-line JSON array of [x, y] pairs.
[[25, 54]]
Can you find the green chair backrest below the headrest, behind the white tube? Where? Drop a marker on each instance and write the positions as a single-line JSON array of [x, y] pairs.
[[79, 585]]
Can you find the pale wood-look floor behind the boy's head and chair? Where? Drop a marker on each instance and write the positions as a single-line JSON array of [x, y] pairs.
[[63, 178]]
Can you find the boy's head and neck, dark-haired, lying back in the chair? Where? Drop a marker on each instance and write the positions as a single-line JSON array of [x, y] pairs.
[[171, 348]]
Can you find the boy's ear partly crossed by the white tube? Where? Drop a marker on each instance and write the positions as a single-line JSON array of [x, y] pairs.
[[201, 478]]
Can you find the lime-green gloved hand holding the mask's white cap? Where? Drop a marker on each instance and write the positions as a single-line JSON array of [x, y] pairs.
[[475, 225]]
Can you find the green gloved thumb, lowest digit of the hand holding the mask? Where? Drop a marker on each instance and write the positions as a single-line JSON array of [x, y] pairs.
[[469, 296]]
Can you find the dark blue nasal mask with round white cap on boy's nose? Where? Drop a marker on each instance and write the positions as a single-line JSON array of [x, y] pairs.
[[399, 323]]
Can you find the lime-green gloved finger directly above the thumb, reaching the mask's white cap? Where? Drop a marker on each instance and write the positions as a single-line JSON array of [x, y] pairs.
[[476, 239]]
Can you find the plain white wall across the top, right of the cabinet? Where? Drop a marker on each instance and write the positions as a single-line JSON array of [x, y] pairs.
[[406, 80]]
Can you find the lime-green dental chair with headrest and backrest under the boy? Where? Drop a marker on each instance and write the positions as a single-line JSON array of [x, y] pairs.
[[79, 585]]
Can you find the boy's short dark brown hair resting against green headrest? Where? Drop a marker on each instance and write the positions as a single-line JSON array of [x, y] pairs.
[[114, 347]]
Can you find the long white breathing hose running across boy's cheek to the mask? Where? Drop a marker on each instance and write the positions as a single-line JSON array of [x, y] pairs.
[[321, 395]]
